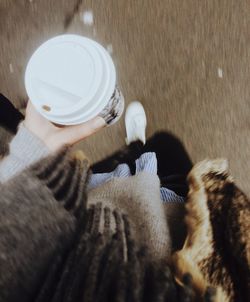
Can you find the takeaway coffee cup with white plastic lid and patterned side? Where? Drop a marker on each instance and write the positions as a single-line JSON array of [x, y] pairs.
[[71, 79]]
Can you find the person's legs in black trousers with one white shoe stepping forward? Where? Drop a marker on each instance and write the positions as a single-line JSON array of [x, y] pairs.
[[172, 159]]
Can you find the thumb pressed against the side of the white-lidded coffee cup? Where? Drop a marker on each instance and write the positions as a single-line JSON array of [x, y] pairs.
[[73, 134]]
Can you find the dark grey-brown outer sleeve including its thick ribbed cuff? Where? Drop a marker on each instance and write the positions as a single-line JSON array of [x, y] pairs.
[[38, 226]]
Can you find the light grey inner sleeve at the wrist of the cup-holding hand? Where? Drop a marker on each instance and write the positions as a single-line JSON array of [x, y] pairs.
[[25, 149]]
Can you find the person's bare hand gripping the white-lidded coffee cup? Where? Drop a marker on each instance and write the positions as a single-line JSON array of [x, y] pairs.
[[54, 136]]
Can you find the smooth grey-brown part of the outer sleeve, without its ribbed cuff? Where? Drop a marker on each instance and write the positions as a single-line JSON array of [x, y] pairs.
[[34, 228]]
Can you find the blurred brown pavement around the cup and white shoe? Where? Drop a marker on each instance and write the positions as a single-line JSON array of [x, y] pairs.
[[188, 62]]
